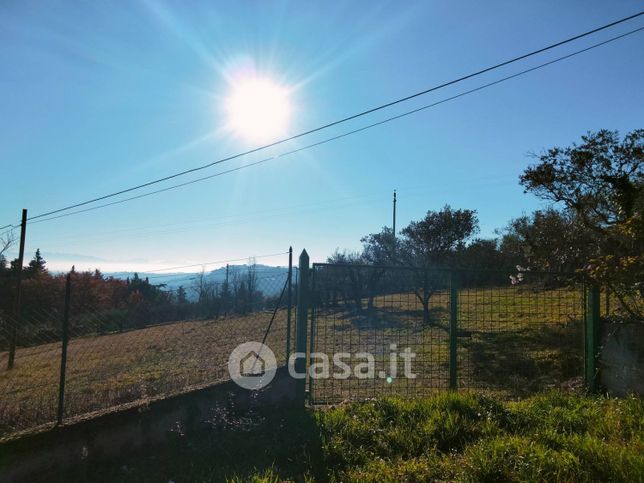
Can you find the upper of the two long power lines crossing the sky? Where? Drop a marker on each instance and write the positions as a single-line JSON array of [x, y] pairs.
[[346, 119]]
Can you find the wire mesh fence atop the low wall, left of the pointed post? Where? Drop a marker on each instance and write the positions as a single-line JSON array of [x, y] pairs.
[[147, 346]]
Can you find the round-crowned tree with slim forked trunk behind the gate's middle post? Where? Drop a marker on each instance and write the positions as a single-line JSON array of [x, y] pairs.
[[435, 241]]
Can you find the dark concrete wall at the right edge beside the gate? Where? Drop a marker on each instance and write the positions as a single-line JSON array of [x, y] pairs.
[[621, 362]]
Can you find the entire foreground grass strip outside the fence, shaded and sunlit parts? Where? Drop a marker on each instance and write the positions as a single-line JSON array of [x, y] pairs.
[[452, 436]]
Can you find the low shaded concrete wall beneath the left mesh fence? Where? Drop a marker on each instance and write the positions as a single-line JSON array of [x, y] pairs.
[[33, 456]]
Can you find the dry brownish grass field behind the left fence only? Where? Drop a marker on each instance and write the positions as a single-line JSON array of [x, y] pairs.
[[108, 371]]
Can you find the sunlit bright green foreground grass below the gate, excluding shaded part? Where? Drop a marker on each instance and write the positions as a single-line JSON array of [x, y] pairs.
[[465, 437]]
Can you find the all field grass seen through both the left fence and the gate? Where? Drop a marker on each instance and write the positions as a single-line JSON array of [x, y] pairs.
[[514, 341]]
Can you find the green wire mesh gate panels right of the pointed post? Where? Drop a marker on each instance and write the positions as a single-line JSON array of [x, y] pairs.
[[511, 332]]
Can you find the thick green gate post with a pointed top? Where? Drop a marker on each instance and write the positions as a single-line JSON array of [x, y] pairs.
[[301, 327]]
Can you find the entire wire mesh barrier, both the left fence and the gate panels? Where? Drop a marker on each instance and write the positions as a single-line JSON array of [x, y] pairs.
[[510, 332]]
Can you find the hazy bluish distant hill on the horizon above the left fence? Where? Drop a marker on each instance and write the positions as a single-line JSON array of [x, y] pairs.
[[270, 280]]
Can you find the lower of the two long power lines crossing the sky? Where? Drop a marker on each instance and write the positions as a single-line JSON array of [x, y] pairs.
[[351, 132]]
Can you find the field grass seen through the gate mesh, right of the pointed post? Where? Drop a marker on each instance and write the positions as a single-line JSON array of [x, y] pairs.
[[512, 340]]
